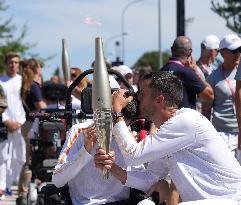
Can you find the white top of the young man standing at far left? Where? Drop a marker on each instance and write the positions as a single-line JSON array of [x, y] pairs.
[[12, 91]]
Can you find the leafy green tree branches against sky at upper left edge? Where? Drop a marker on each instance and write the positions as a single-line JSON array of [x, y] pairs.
[[8, 40]]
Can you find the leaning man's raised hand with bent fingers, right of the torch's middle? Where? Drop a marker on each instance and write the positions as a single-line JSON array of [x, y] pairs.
[[120, 100]]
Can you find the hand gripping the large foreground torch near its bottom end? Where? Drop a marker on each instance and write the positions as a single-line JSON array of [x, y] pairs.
[[103, 160]]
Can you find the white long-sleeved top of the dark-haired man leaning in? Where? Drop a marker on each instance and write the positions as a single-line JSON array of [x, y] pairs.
[[187, 145]]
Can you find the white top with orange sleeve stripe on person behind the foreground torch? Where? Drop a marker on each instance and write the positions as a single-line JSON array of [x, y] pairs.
[[76, 167]]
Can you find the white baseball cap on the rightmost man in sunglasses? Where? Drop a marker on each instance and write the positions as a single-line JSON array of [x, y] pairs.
[[230, 41]]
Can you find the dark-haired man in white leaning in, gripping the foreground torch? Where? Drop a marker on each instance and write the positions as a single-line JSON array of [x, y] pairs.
[[186, 144]]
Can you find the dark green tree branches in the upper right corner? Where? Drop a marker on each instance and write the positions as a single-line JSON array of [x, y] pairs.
[[231, 12]]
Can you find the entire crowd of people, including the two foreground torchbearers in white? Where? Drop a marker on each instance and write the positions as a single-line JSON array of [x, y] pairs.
[[179, 135]]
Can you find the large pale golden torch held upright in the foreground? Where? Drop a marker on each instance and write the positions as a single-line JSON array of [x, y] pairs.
[[101, 101]]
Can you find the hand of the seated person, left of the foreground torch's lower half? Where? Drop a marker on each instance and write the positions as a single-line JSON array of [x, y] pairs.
[[90, 138]]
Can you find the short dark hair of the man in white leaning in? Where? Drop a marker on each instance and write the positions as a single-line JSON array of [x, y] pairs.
[[167, 84]]
